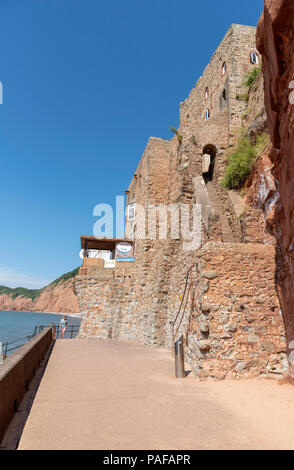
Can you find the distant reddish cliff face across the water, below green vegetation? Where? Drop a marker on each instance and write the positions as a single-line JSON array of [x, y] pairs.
[[58, 297]]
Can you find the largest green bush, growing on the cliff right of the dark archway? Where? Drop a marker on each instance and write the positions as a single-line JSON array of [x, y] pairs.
[[242, 160]]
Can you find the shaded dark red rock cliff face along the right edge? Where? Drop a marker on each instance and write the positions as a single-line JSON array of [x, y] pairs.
[[275, 41]]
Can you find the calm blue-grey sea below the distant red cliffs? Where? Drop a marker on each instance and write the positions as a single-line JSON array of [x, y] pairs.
[[14, 325]]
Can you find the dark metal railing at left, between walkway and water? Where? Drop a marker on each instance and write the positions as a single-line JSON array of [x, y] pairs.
[[71, 332]]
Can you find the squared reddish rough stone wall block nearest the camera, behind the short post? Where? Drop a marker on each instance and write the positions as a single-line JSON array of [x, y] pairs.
[[236, 328]]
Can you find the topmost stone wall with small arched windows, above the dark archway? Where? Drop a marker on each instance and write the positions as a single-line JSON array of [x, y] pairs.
[[221, 129]]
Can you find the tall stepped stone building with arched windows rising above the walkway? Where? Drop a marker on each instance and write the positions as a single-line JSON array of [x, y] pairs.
[[221, 296]]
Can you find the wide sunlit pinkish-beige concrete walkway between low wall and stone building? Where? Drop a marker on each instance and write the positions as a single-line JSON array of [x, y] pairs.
[[103, 394]]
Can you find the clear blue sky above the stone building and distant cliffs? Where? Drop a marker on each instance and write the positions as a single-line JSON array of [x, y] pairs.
[[85, 84]]
